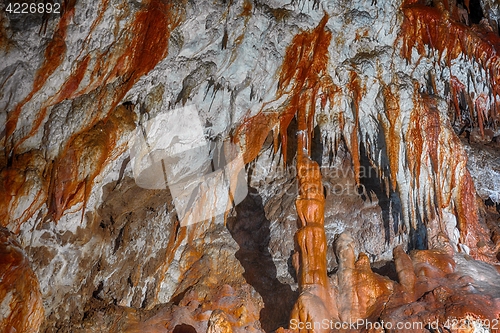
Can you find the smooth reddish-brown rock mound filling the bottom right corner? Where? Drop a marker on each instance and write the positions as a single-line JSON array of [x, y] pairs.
[[448, 295]]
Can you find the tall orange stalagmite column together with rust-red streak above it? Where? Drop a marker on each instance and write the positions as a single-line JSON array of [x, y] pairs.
[[303, 79]]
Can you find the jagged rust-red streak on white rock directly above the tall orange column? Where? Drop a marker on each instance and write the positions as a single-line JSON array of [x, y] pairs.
[[304, 79]]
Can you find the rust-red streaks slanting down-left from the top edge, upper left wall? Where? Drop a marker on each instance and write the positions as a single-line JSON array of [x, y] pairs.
[[145, 44]]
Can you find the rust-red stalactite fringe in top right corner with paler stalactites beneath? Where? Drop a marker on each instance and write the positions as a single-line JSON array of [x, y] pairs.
[[444, 28]]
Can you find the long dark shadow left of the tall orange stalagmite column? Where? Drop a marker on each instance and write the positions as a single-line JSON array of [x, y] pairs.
[[250, 229]]
